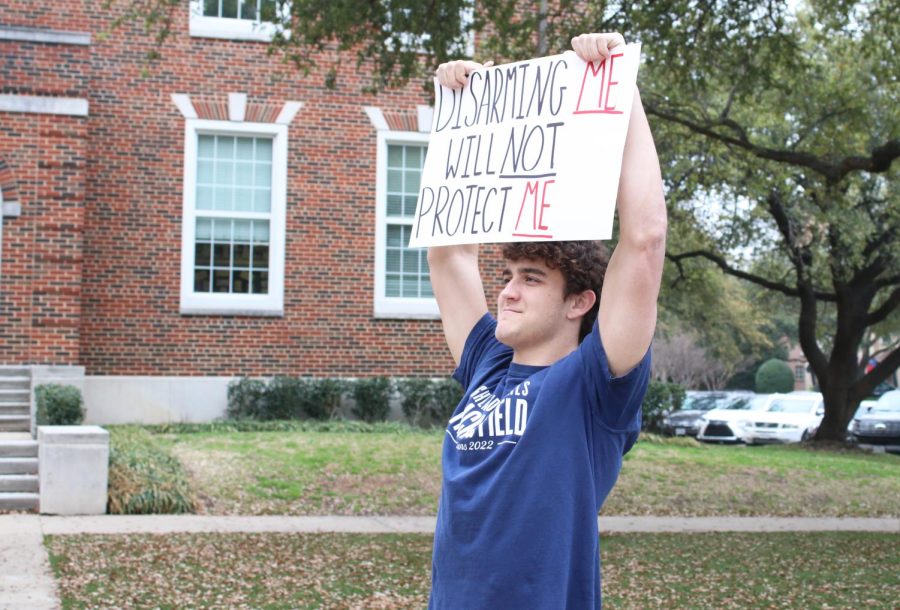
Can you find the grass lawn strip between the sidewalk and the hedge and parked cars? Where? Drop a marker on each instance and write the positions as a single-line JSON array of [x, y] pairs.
[[390, 473]]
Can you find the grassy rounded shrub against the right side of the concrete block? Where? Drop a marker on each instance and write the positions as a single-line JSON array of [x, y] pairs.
[[144, 478]]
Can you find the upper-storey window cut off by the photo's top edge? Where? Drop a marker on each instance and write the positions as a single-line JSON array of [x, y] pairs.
[[235, 19]]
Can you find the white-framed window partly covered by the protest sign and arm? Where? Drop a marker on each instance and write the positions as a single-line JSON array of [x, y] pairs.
[[402, 282]]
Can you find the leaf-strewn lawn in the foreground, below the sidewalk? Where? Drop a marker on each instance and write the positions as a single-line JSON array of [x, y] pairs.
[[697, 571]]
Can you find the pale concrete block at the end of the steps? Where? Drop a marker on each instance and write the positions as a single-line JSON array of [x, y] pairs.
[[74, 469]]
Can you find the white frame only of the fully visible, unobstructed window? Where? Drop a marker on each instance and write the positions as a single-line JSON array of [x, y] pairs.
[[271, 304]]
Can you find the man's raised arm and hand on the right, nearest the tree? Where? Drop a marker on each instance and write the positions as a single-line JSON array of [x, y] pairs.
[[627, 314]]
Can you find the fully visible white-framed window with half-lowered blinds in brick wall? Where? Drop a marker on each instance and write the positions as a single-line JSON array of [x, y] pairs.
[[234, 210]]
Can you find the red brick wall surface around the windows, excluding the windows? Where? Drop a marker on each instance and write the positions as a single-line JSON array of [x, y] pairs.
[[129, 264]]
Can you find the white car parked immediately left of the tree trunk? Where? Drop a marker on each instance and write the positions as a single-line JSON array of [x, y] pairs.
[[789, 418]]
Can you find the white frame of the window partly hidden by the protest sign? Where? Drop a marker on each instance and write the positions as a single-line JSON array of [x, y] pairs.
[[384, 306]]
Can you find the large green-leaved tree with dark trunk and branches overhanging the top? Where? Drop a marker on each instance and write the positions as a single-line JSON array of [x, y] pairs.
[[778, 133]]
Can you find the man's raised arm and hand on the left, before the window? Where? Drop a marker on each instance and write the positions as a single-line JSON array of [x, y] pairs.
[[455, 276]]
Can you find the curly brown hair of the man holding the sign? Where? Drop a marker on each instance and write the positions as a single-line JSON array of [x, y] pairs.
[[582, 264]]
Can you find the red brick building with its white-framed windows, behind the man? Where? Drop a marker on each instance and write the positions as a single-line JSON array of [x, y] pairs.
[[167, 226]]
